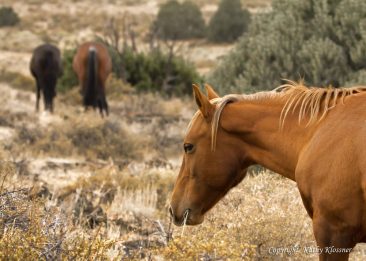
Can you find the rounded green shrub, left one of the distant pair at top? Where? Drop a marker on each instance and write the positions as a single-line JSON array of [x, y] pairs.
[[177, 21]]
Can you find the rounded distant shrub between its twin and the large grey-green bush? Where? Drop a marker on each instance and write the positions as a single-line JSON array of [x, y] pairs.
[[229, 22]]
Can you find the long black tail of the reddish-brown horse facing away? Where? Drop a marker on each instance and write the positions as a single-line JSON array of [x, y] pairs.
[[90, 95]]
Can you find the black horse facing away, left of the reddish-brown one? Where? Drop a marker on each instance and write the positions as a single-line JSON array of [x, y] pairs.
[[46, 67]]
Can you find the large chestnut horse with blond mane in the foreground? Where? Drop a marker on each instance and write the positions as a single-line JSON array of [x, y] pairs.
[[314, 136]]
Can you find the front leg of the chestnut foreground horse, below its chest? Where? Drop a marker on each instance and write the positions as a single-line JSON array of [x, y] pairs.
[[335, 244]]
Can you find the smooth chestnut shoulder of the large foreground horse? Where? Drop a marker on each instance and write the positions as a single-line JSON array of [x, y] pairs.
[[329, 173]]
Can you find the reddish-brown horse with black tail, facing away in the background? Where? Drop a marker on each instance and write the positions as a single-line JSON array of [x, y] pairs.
[[92, 65]]
